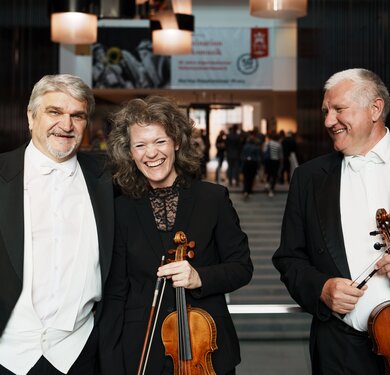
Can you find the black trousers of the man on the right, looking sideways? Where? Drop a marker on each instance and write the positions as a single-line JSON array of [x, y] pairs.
[[342, 350]]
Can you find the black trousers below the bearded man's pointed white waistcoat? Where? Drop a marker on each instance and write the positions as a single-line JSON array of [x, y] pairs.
[[85, 364]]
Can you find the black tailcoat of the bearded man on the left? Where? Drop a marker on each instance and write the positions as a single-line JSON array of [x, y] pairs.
[[12, 222]]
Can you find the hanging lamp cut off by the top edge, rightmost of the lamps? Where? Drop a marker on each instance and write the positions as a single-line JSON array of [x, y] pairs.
[[283, 9]]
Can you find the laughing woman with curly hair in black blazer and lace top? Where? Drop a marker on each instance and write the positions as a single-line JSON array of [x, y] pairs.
[[156, 164]]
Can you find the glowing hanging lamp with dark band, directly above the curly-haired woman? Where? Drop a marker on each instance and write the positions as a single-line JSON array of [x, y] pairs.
[[172, 29]]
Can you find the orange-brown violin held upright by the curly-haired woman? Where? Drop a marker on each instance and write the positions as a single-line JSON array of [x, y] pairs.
[[189, 333]]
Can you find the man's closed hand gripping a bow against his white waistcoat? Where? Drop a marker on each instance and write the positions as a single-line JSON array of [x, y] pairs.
[[341, 295]]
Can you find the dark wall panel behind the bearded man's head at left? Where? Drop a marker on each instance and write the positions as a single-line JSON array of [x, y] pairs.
[[26, 55]]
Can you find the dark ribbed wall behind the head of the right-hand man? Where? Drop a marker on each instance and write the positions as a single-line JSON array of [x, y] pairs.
[[336, 35]]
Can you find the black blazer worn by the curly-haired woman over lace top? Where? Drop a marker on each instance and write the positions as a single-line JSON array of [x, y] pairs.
[[206, 215]]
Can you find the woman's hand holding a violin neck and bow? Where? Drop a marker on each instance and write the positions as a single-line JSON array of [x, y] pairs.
[[181, 273]]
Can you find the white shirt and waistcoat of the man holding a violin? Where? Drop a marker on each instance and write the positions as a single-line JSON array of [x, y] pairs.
[[365, 188]]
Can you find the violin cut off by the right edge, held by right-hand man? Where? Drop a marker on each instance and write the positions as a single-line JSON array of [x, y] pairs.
[[379, 319]]
